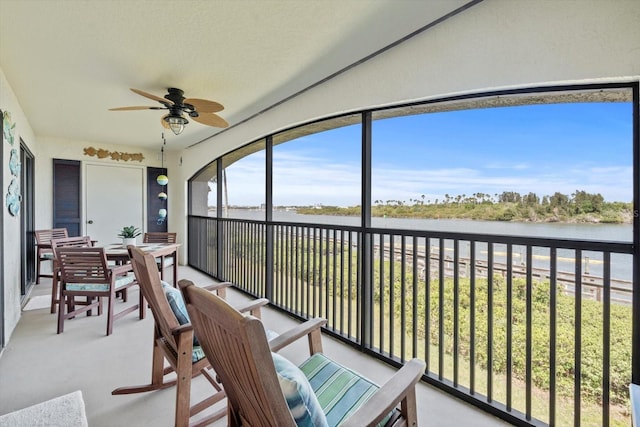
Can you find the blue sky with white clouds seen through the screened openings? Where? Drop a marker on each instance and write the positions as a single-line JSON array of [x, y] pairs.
[[536, 148]]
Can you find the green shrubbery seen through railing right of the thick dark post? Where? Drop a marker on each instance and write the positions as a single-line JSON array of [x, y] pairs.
[[592, 334]]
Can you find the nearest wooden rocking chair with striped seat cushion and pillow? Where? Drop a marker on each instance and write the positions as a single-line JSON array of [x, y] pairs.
[[237, 347]]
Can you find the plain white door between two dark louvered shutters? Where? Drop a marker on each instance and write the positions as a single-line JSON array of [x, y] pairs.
[[115, 197]]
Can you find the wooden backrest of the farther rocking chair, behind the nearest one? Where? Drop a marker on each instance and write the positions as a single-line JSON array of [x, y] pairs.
[[146, 271]]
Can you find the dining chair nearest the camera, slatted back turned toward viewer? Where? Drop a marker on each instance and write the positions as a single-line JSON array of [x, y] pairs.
[[84, 272]]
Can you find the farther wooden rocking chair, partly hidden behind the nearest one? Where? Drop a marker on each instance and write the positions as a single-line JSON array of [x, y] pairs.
[[174, 342]]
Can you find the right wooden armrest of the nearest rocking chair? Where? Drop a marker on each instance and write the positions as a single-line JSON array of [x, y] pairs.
[[402, 385]]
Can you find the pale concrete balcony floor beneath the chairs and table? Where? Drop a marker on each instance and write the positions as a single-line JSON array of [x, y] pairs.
[[37, 365]]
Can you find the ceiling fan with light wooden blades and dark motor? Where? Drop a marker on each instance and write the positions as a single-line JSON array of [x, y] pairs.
[[201, 110]]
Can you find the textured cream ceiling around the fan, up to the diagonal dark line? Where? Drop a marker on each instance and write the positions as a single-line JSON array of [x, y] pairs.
[[69, 61]]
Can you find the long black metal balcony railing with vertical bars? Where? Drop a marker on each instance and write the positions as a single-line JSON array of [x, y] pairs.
[[535, 330]]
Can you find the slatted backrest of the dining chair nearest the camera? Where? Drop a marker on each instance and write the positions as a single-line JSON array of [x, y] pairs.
[[82, 265]]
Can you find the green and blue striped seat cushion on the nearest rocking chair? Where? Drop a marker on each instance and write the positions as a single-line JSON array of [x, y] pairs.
[[339, 390]]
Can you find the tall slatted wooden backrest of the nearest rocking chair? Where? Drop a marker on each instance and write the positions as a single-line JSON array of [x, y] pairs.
[[237, 348]]
